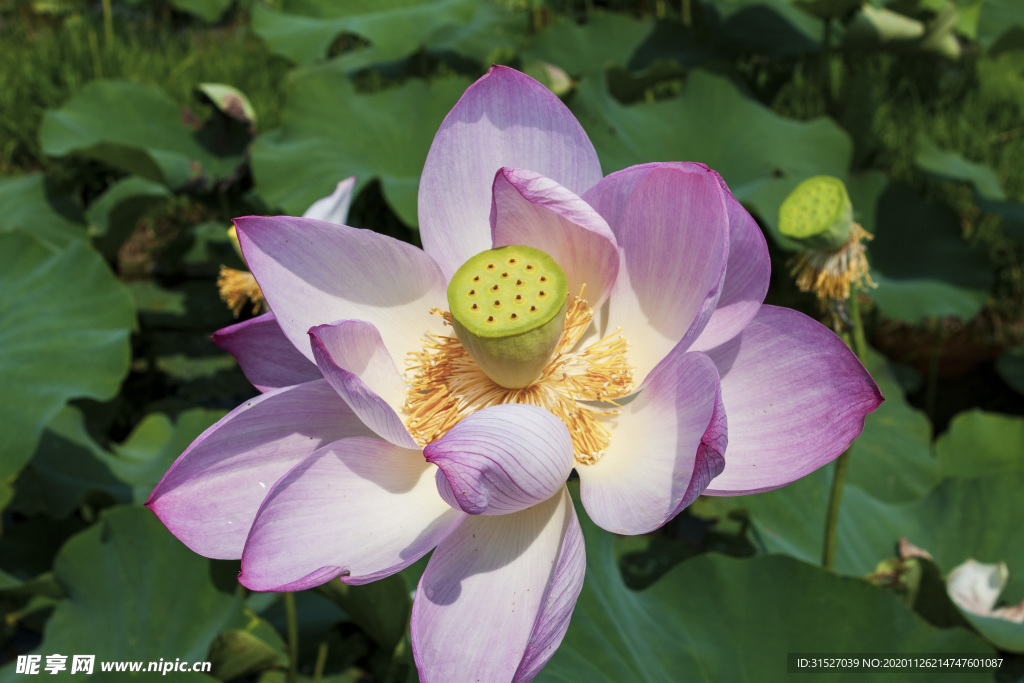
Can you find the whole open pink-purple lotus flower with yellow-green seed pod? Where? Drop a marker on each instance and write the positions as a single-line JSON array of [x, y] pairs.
[[379, 436]]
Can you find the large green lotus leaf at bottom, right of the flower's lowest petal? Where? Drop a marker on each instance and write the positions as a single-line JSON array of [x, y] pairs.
[[715, 618]]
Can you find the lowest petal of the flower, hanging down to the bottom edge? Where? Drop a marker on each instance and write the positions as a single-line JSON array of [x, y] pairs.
[[497, 596]]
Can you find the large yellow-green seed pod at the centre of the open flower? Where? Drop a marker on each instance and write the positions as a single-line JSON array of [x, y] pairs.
[[508, 310]]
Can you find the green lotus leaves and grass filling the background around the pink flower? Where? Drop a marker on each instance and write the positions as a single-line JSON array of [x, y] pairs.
[[135, 131]]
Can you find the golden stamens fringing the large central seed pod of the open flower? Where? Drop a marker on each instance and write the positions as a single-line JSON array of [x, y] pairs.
[[447, 386]]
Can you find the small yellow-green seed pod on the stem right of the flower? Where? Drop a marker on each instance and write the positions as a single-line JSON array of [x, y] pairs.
[[818, 215]]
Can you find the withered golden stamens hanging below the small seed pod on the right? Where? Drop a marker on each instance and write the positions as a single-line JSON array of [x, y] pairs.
[[830, 275]]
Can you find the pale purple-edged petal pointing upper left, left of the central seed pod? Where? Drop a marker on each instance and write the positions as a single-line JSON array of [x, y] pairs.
[[314, 273]]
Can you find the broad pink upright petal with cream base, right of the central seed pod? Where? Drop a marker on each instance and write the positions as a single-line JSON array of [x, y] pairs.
[[671, 223]]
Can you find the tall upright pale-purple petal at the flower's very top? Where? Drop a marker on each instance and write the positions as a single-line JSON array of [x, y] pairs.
[[504, 119]]
